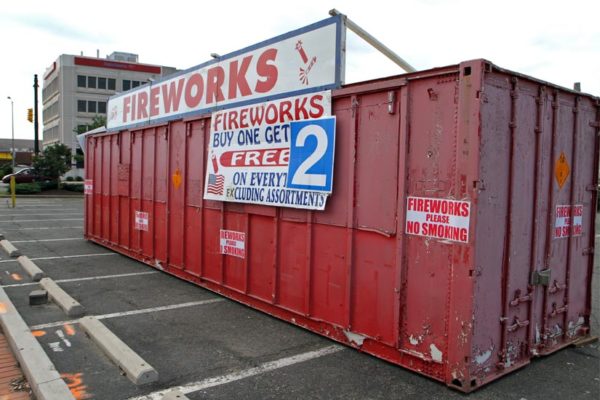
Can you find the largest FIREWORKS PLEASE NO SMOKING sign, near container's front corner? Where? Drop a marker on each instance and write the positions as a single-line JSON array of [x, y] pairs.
[[444, 219]]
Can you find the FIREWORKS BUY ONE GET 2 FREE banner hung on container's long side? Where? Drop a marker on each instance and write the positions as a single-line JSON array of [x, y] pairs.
[[278, 153]]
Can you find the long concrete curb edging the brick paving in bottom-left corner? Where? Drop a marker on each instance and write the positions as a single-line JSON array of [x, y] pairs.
[[43, 378]]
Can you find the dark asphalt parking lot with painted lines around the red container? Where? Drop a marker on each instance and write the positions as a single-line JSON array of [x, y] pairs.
[[217, 348]]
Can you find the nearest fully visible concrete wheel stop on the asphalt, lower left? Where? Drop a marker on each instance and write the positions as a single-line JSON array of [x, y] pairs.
[[137, 370]]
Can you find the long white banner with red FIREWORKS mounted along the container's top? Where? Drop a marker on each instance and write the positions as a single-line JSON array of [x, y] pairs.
[[302, 61]]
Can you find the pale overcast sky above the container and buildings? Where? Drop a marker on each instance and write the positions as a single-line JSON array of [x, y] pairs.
[[558, 41]]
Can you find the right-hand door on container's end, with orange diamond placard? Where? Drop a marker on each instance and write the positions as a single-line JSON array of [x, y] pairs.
[[563, 279]]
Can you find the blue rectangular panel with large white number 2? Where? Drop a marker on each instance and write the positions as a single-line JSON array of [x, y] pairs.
[[312, 145]]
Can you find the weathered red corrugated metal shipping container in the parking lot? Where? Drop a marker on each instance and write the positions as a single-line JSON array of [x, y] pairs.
[[463, 308]]
